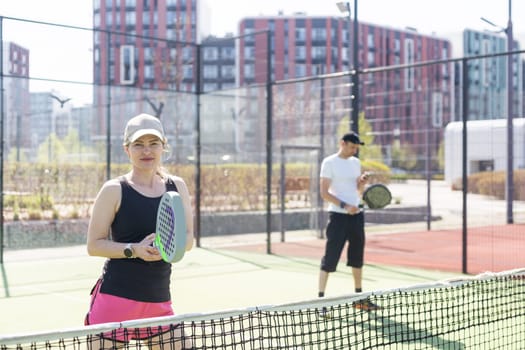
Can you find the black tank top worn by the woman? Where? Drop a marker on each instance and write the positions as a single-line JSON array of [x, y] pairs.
[[136, 279]]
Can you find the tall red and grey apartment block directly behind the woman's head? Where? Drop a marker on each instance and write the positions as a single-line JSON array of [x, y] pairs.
[[145, 50]]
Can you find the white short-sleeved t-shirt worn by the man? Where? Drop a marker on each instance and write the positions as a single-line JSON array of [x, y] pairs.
[[343, 174]]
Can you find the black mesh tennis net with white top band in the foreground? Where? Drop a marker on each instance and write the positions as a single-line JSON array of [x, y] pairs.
[[484, 311]]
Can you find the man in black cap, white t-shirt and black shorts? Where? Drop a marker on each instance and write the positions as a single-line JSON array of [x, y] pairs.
[[342, 183]]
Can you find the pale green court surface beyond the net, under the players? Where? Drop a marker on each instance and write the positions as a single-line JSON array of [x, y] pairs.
[[48, 289]]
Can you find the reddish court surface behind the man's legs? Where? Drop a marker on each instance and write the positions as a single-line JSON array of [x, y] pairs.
[[491, 248]]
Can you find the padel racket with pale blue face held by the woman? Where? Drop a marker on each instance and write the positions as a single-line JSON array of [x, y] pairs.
[[170, 237]]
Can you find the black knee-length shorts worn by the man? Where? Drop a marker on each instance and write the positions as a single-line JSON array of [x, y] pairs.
[[340, 229]]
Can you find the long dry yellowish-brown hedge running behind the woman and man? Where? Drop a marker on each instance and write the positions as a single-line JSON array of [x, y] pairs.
[[48, 191]]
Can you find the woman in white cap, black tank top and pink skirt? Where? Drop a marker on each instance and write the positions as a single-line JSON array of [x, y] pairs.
[[135, 282]]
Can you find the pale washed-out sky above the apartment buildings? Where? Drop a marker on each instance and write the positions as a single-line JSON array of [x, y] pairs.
[[442, 18]]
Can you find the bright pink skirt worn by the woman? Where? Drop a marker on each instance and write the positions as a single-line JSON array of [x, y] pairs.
[[106, 308]]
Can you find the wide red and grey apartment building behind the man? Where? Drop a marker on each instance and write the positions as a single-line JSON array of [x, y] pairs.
[[303, 46]]
